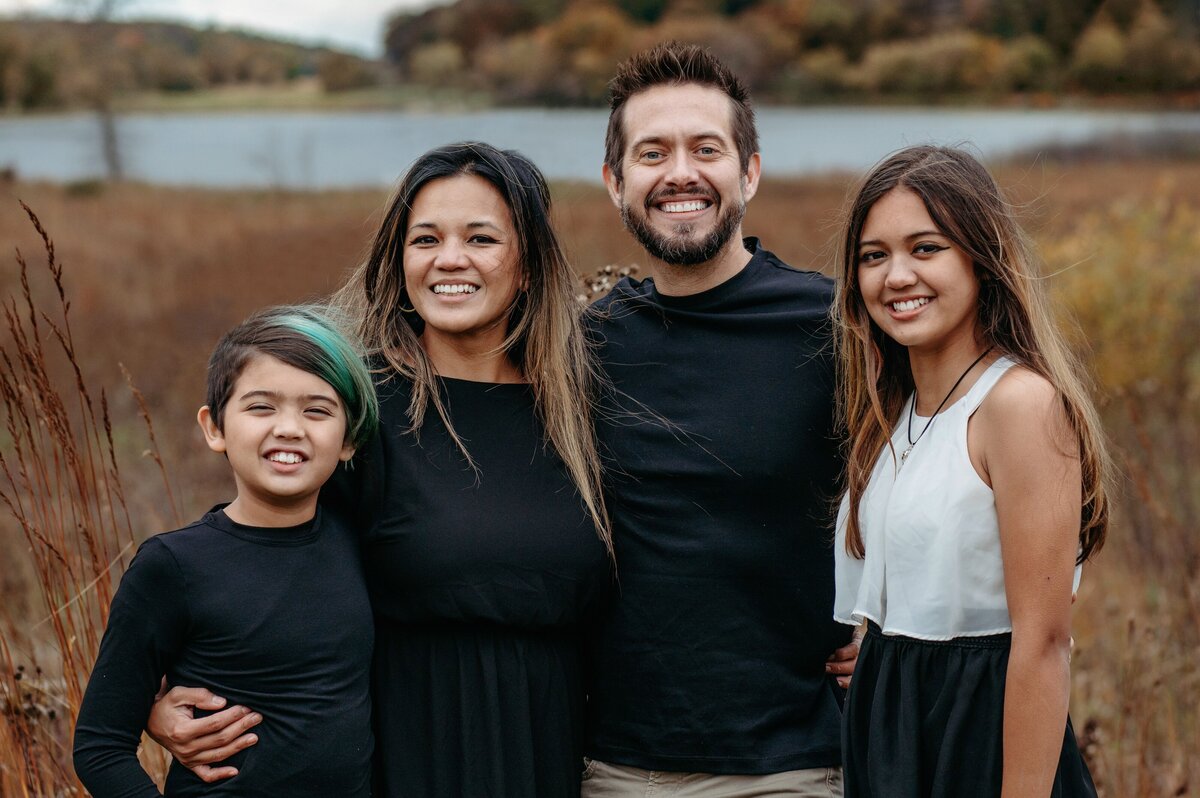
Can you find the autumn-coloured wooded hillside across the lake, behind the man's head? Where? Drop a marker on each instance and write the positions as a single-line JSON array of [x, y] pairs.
[[562, 52]]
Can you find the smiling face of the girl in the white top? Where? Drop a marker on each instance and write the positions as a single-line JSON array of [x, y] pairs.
[[917, 286]]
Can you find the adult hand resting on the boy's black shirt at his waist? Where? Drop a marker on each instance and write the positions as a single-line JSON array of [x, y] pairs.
[[199, 742]]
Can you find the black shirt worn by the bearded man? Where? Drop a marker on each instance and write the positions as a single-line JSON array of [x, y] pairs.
[[722, 467]]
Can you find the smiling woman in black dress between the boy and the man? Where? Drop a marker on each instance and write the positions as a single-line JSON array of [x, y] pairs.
[[485, 539]]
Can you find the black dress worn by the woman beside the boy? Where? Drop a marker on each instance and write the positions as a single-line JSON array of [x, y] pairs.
[[481, 583]]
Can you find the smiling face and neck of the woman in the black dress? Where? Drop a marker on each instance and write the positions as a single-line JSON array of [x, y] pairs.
[[461, 267]]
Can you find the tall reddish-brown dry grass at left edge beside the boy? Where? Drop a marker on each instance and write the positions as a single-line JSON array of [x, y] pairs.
[[63, 485]]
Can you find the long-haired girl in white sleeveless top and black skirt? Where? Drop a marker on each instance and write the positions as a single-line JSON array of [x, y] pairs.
[[975, 488]]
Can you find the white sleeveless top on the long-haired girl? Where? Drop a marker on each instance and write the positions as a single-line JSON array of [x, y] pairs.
[[933, 568]]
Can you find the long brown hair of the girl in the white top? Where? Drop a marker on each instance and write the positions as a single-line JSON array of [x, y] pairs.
[[1015, 316]]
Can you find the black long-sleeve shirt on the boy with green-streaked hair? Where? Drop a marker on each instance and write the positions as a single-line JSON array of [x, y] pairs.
[[277, 620]]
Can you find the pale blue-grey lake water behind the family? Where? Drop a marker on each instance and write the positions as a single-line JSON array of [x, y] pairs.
[[338, 151]]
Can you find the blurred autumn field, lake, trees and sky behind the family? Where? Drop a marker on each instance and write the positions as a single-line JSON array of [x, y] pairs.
[[194, 160]]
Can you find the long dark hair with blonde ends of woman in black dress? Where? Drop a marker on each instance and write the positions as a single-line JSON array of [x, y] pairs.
[[544, 341]]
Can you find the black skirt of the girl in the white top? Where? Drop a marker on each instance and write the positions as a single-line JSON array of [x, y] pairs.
[[925, 719]]
